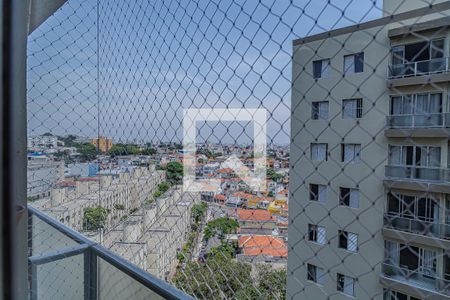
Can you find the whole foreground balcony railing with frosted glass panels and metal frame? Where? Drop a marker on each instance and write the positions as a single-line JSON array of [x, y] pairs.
[[63, 264]]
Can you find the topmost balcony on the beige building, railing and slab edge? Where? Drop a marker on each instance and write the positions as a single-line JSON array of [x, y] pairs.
[[419, 72]]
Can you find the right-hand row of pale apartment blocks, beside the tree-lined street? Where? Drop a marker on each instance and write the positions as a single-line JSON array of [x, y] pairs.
[[153, 236]]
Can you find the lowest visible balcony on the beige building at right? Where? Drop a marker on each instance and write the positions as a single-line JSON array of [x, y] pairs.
[[430, 285]]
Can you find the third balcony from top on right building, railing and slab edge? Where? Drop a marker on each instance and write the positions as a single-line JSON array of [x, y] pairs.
[[417, 178]]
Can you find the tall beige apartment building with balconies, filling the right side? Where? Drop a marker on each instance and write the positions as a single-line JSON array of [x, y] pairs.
[[369, 211]]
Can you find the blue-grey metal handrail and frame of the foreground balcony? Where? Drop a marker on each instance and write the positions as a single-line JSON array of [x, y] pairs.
[[92, 248]]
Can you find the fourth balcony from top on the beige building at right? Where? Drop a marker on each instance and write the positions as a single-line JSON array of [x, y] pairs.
[[431, 233]]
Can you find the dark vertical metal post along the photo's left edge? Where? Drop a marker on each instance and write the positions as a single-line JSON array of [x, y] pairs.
[[13, 176]]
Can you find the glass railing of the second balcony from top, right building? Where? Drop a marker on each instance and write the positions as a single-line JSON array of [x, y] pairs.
[[433, 120]]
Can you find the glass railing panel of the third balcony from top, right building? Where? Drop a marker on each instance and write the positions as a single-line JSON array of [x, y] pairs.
[[417, 173]]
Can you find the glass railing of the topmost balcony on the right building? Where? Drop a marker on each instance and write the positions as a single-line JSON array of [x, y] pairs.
[[418, 68]]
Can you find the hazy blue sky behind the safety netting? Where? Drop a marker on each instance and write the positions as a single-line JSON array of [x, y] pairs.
[[127, 69]]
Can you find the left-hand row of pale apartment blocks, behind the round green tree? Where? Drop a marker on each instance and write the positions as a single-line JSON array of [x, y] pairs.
[[119, 195]]
